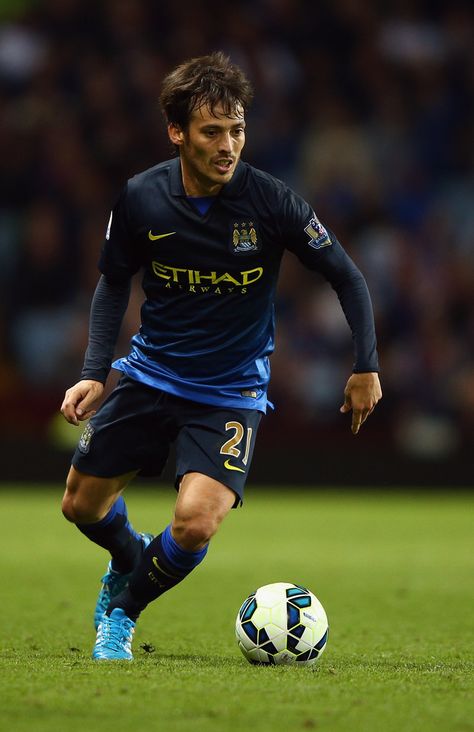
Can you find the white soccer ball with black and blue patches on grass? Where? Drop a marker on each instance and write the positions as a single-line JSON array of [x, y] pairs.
[[282, 623]]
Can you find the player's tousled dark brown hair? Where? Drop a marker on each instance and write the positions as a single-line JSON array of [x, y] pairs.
[[204, 81]]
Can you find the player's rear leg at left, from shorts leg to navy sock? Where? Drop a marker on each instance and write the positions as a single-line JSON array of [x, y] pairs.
[[121, 439]]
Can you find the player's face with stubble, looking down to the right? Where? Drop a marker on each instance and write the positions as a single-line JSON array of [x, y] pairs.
[[209, 148]]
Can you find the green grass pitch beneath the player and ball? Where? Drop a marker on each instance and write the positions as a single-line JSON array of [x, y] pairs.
[[393, 570]]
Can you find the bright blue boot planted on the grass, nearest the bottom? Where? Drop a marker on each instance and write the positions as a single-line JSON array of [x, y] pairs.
[[114, 637]]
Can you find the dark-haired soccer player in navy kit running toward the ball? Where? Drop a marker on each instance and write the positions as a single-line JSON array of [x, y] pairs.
[[208, 232]]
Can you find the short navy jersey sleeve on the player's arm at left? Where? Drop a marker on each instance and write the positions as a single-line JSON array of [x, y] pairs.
[[120, 257]]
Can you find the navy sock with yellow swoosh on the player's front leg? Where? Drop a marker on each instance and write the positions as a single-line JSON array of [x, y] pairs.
[[163, 565]]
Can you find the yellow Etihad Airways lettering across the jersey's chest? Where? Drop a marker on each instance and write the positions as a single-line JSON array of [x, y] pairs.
[[202, 281]]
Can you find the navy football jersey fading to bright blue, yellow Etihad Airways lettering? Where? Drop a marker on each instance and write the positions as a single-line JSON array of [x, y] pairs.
[[207, 323]]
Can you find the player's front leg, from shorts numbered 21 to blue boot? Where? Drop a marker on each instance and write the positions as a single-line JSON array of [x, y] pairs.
[[208, 488]]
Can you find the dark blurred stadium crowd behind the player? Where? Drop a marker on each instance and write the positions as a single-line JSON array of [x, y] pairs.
[[364, 108]]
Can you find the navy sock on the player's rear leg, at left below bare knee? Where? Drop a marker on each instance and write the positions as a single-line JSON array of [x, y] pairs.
[[115, 534]]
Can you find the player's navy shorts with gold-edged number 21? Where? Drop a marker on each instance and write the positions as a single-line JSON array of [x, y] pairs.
[[136, 425]]
